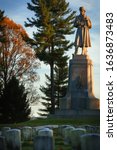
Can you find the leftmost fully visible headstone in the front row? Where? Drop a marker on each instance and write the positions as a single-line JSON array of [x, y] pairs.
[[13, 139]]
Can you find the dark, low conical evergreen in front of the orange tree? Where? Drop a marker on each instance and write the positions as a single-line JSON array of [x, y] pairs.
[[14, 106]]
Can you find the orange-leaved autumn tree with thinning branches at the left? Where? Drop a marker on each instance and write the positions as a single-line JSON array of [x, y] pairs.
[[16, 58]]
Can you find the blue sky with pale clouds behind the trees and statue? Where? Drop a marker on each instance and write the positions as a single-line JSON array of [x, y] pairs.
[[17, 11]]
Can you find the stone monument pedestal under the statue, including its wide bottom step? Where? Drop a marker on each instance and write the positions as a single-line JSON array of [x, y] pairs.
[[80, 100]]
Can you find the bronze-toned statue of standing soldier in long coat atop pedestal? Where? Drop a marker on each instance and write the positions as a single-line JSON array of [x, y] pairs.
[[82, 39]]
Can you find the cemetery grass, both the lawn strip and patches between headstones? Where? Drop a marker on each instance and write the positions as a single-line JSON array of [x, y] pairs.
[[58, 139]]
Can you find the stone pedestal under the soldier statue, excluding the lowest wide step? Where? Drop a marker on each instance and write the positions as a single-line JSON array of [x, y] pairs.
[[80, 94]]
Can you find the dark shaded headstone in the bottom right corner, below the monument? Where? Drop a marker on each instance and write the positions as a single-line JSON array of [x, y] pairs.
[[90, 142]]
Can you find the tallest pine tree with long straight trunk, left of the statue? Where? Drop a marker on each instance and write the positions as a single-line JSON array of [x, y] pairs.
[[54, 20]]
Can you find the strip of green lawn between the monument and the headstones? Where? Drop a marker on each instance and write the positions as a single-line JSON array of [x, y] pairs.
[[55, 121]]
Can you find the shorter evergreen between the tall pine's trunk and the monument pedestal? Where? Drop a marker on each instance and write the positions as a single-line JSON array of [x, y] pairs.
[[61, 78]]
